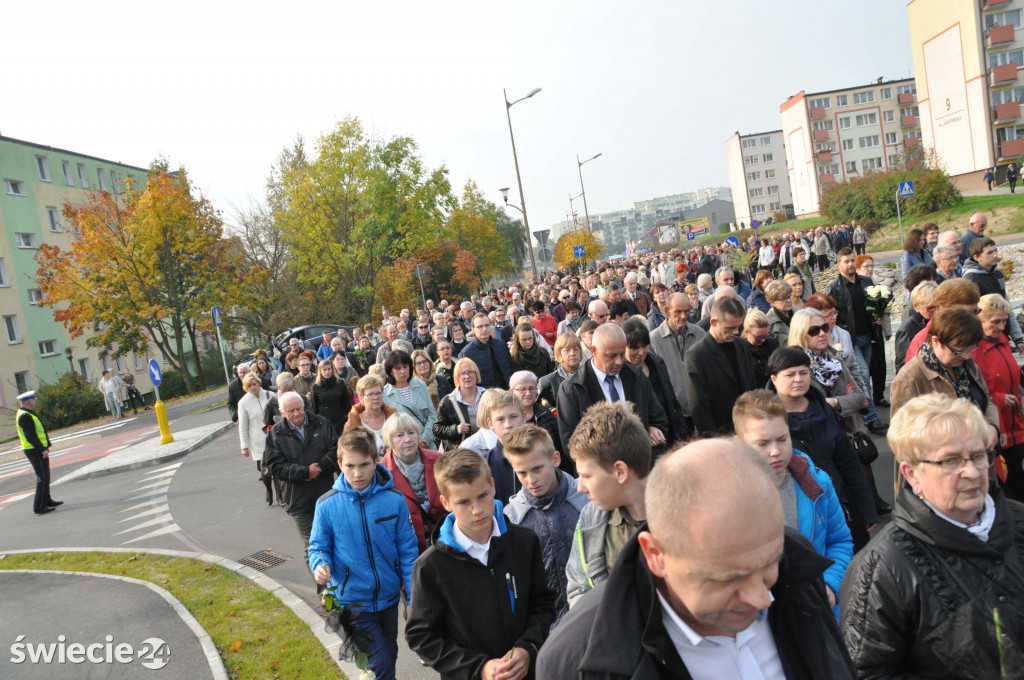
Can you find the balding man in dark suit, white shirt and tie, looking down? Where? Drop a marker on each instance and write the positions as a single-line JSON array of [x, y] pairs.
[[605, 379]]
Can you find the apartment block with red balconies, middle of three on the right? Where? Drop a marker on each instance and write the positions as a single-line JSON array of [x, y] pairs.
[[834, 137]]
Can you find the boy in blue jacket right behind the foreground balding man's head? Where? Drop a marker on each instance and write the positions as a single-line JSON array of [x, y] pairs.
[[809, 500]]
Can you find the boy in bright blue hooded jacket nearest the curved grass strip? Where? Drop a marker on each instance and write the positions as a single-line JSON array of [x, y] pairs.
[[363, 544]]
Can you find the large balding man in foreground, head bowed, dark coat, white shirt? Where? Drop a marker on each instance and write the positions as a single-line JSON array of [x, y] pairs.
[[713, 587]]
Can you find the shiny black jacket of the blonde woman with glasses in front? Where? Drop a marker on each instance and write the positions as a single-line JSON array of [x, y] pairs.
[[920, 601]]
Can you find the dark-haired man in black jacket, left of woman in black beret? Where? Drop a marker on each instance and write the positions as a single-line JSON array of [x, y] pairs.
[[719, 370]]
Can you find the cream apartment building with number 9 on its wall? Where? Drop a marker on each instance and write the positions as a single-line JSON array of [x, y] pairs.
[[968, 59]]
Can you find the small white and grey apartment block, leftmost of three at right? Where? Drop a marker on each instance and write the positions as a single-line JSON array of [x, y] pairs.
[[758, 175]]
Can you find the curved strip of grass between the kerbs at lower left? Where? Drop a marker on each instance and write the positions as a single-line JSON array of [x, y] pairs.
[[257, 634]]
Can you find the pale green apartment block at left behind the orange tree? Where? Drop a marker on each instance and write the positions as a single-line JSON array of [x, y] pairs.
[[38, 181]]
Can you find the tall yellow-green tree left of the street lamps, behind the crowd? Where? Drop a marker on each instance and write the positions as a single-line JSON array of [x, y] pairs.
[[363, 203]]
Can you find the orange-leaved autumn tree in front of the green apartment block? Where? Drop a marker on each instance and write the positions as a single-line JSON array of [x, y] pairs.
[[146, 270]]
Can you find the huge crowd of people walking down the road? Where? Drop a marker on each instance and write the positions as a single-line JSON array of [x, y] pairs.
[[662, 467]]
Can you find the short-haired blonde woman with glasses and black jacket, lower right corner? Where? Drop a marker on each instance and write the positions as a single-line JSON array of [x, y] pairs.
[[936, 593]]
